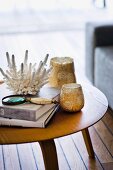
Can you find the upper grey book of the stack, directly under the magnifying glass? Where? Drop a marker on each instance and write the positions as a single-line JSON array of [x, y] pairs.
[[29, 111]]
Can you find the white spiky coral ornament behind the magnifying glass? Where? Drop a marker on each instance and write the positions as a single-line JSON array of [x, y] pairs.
[[28, 79]]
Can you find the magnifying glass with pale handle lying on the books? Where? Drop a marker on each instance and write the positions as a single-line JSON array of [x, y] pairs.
[[19, 99]]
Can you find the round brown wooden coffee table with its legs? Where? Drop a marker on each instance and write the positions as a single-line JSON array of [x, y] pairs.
[[62, 124]]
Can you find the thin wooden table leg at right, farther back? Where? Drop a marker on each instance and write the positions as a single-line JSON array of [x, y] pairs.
[[88, 143]]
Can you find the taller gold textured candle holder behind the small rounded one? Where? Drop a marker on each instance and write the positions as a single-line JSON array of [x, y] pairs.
[[62, 71]]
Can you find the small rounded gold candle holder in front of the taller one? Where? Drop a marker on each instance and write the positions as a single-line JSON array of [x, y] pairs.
[[71, 97]]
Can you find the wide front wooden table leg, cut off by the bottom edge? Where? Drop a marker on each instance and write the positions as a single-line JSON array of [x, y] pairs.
[[49, 154]]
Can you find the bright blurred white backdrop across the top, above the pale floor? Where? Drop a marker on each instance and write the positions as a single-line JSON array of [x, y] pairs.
[[50, 15]]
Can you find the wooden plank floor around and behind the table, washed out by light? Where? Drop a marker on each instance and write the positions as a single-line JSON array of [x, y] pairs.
[[72, 154]]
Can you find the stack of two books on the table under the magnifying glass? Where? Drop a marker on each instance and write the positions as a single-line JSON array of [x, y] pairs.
[[28, 114]]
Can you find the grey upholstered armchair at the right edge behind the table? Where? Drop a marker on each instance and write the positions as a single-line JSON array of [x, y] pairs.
[[99, 57]]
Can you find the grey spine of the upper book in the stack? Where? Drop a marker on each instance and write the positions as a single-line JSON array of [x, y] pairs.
[[17, 114]]
